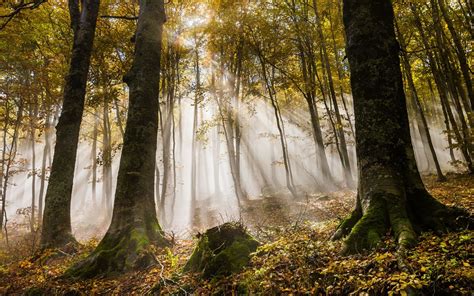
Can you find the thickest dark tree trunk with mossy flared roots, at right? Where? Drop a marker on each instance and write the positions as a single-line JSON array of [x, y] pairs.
[[391, 194]]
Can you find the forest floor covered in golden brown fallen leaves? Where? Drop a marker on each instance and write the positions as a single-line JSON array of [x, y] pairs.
[[296, 257]]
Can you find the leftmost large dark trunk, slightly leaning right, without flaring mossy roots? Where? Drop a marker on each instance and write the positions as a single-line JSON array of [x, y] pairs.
[[57, 220]]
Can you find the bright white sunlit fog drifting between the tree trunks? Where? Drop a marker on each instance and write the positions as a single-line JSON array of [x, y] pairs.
[[262, 169]]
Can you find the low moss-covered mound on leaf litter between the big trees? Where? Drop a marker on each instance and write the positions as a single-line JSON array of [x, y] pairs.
[[222, 250]]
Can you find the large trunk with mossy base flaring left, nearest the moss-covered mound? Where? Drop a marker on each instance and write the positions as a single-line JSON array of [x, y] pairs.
[[134, 225]]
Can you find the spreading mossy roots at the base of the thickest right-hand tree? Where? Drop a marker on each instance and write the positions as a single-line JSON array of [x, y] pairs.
[[389, 213]]
